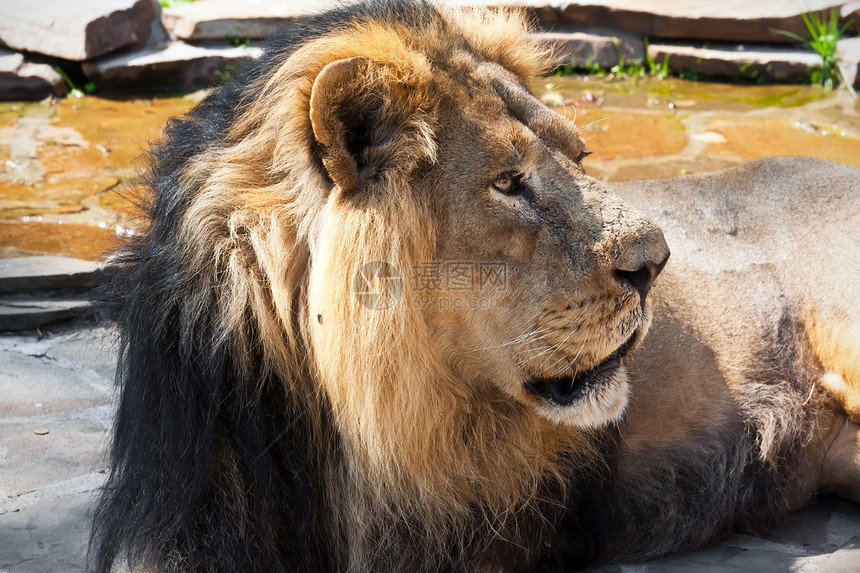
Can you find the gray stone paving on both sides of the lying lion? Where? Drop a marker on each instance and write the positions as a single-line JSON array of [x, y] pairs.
[[61, 381]]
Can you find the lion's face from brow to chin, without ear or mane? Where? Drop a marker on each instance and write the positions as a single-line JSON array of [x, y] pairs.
[[560, 266]]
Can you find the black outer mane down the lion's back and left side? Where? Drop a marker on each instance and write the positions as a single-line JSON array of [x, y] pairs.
[[201, 444]]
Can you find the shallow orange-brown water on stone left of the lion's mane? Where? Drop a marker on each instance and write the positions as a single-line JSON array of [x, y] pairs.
[[68, 169]]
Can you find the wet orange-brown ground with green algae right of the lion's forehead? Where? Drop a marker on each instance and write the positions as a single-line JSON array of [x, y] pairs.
[[651, 128]]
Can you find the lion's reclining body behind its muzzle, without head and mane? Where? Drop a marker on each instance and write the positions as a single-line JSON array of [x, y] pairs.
[[762, 254]]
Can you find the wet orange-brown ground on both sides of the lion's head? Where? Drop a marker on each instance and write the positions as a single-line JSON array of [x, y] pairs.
[[67, 167]]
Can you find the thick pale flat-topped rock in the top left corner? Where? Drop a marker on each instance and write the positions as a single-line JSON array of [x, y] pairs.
[[78, 30]]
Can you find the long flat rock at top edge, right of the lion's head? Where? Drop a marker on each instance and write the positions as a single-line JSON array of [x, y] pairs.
[[739, 21]]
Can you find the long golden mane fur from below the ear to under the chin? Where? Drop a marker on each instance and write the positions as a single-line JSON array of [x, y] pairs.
[[421, 438]]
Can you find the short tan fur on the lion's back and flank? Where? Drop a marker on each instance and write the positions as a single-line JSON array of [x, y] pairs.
[[762, 286]]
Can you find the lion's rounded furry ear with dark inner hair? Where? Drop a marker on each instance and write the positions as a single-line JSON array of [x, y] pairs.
[[363, 117]]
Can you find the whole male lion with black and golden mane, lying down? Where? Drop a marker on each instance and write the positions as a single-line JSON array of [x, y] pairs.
[[381, 320]]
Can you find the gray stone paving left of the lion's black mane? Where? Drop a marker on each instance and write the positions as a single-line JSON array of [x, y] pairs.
[[61, 382]]
